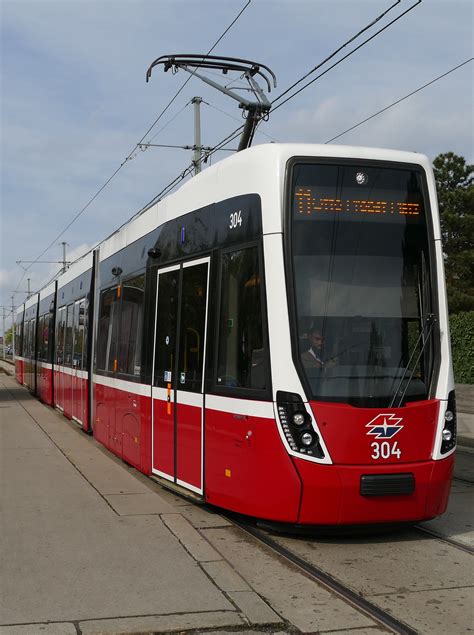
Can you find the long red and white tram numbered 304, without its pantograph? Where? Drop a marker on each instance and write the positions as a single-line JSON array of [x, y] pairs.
[[271, 339]]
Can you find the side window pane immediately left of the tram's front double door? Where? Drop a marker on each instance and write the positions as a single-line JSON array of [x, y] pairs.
[[131, 324]]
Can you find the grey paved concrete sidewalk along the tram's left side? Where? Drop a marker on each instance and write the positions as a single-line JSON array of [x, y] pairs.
[[85, 543]]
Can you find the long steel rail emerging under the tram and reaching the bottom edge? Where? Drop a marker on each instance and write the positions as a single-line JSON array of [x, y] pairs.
[[323, 578]]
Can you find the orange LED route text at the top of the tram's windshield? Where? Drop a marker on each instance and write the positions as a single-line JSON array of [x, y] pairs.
[[308, 204]]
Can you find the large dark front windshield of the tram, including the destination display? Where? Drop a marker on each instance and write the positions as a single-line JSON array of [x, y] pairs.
[[362, 291]]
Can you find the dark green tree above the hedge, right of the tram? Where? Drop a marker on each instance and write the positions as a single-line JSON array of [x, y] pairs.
[[454, 181]]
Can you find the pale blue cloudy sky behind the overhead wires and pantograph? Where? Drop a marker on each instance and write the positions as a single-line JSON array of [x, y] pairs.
[[74, 101]]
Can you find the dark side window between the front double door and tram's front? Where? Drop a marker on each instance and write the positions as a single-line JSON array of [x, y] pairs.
[[241, 358]]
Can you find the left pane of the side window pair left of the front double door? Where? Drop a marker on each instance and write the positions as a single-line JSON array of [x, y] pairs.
[[108, 330]]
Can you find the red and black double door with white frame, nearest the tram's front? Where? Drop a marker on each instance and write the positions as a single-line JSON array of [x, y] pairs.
[[178, 380]]
